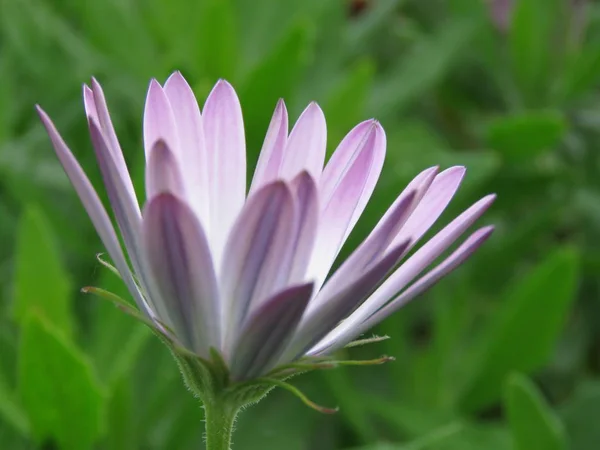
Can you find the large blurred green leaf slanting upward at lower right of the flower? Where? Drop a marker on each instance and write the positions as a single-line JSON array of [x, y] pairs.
[[522, 335]]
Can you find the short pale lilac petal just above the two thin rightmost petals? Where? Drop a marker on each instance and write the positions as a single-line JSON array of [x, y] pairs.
[[432, 205]]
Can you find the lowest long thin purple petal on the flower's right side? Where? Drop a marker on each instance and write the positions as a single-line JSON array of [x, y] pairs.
[[458, 257]]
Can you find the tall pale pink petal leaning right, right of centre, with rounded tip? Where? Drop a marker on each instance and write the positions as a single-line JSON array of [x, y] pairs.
[[341, 210]]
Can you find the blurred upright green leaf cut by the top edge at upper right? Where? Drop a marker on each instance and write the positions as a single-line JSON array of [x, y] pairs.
[[532, 43]]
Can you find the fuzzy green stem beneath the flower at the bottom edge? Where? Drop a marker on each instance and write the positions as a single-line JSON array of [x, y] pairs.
[[219, 416]]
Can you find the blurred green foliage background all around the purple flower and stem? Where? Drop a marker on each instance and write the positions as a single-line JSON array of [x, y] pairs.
[[503, 354]]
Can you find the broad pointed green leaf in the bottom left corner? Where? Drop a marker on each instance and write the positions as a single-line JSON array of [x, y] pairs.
[[58, 388]]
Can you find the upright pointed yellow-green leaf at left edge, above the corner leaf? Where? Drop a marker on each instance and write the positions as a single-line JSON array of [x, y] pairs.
[[41, 284]]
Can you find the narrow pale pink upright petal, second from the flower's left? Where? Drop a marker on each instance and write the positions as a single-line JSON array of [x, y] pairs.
[[96, 107]]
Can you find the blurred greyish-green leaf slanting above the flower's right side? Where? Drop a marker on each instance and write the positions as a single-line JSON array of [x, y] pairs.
[[427, 63]]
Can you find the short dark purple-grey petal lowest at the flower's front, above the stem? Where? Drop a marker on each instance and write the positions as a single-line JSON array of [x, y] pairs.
[[267, 332]]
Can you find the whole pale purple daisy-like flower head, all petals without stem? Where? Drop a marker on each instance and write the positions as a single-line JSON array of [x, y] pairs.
[[247, 274]]
